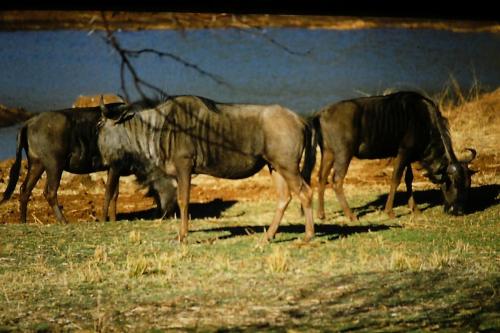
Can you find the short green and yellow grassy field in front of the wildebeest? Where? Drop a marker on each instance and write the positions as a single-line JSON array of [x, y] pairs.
[[427, 272]]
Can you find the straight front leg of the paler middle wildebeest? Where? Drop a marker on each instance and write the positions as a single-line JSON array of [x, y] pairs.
[[183, 169]]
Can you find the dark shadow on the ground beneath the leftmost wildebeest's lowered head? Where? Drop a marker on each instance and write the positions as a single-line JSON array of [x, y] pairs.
[[212, 209]]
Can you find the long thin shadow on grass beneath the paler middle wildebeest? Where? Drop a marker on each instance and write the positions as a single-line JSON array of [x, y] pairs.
[[333, 231]]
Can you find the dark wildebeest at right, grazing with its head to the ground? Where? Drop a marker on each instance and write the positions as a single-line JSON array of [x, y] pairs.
[[404, 125]]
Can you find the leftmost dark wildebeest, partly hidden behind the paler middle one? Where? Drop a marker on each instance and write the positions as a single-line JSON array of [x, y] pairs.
[[67, 140]]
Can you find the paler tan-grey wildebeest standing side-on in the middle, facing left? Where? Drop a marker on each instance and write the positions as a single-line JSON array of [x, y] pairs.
[[187, 135]]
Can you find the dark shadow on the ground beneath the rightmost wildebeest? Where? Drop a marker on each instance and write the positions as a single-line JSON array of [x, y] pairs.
[[480, 198]]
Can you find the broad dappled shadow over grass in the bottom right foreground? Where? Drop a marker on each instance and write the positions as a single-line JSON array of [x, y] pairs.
[[390, 302]]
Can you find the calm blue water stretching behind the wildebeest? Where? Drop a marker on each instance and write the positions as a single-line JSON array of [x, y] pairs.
[[44, 70]]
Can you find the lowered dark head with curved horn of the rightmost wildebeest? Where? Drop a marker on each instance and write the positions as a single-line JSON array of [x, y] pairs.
[[457, 183]]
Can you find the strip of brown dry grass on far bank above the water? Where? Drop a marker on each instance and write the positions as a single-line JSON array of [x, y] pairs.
[[90, 20]]
